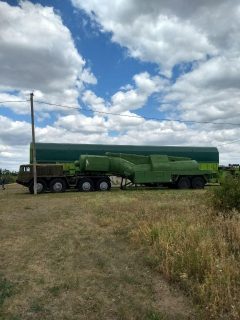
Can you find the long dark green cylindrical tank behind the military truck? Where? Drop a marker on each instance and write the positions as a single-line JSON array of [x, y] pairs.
[[208, 157]]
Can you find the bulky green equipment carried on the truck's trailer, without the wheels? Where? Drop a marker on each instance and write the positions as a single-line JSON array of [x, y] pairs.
[[140, 169]]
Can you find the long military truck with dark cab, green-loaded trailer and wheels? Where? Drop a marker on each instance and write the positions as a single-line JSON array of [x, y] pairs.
[[92, 172]]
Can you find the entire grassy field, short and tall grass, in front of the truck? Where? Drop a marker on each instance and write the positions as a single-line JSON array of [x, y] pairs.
[[137, 254]]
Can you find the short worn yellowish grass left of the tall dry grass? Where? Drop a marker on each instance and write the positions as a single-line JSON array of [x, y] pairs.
[[71, 256]]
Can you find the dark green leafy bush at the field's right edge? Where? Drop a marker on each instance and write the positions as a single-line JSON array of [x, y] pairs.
[[226, 198]]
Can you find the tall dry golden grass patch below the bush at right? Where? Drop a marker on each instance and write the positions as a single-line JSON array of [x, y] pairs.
[[200, 251]]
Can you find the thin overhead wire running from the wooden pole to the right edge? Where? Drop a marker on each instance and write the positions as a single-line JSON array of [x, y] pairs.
[[139, 117]]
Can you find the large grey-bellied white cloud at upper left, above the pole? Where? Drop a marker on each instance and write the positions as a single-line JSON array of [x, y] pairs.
[[38, 53]]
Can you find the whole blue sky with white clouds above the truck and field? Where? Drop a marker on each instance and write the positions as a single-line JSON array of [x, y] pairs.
[[136, 72]]
